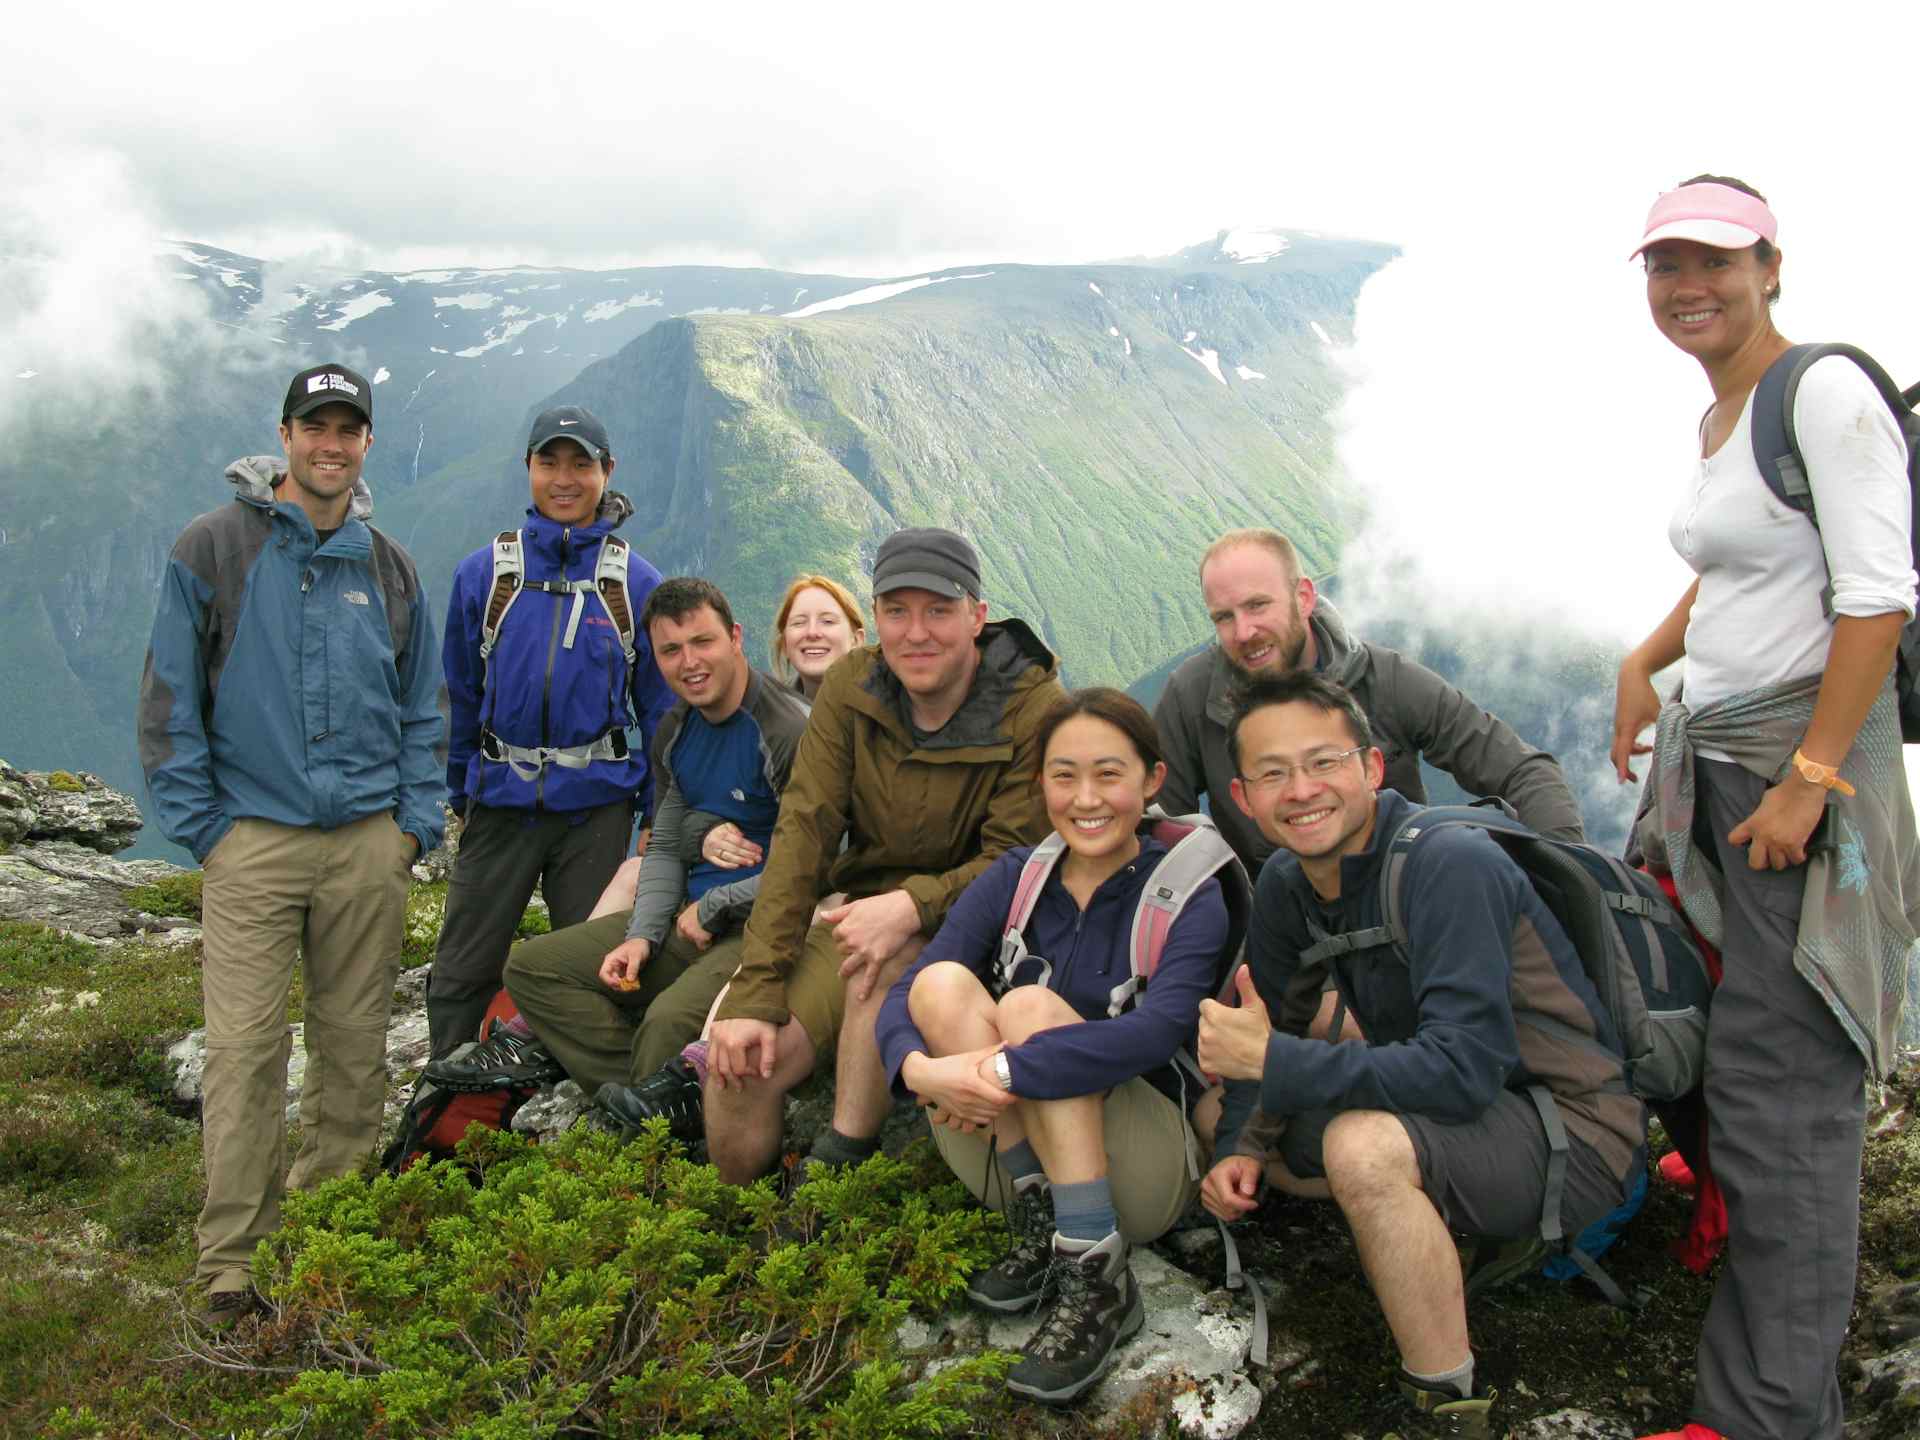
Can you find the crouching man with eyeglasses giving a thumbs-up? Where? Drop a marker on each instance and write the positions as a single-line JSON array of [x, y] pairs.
[[1420, 1130]]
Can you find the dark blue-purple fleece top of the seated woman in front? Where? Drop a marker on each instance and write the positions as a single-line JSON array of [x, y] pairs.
[[1090, 959]]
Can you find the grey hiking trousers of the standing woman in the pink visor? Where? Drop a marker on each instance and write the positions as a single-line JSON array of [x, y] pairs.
[[1787, 1116]]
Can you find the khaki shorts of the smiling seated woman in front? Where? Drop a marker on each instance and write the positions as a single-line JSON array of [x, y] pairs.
[[1145, 1163]]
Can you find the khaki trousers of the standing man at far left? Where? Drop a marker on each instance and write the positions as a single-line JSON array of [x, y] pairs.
[[335, 901]]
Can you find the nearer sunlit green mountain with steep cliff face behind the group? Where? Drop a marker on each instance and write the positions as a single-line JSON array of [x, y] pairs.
[[1092, 429]]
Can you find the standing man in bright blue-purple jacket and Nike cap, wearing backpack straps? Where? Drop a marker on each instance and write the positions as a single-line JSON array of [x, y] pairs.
[[546, 671]]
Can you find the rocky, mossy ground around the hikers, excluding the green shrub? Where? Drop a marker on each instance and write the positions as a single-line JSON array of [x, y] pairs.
[[95, 1232]]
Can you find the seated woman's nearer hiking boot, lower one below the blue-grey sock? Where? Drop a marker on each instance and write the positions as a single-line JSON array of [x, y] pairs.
[[1095, 1310]]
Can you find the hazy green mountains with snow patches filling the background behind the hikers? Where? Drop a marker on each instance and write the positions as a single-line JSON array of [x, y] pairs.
[[1092, 427]]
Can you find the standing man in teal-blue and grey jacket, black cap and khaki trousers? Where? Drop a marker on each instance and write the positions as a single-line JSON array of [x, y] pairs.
[[293, 729]]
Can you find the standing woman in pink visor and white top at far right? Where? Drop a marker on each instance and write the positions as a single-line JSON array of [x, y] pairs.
[[1777, 798]]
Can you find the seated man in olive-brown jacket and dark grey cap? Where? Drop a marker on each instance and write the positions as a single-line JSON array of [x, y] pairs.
[[917, 771]]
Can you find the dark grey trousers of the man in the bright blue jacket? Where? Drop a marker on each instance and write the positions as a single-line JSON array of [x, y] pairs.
[[504, 855]]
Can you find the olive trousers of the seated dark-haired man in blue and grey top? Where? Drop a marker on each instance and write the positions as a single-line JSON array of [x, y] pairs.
[[615, 1036]]
